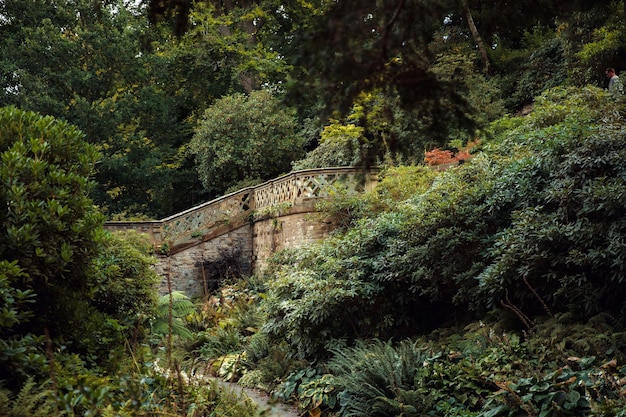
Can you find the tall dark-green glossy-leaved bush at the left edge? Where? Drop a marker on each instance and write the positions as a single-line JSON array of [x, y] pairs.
[[49, 224]]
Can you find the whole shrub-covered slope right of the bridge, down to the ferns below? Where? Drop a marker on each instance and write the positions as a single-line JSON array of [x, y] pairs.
[[492, 289]]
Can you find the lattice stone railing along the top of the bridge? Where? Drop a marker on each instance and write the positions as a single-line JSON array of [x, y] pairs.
[[236, 209]]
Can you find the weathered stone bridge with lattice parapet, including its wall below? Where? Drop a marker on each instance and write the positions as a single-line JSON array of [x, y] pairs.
[[236, 234]]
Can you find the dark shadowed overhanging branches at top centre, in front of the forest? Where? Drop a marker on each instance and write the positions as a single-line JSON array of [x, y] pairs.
[[348, 50]]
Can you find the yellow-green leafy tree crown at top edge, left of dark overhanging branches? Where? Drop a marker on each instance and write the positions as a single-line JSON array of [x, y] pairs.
[[240, 42]]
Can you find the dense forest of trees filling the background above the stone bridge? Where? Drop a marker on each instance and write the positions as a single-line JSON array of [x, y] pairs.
[[137, 77]]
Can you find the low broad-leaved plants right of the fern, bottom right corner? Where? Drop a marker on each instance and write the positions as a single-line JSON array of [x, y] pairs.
[[493, 373]]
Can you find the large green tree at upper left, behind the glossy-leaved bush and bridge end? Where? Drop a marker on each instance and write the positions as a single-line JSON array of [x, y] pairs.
[[99, 66]]
